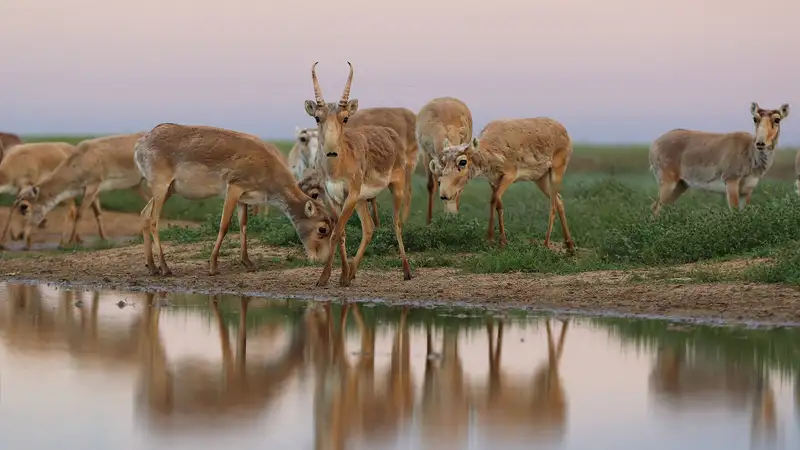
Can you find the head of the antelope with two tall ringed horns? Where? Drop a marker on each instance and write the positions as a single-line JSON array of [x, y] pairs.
[[331, 117]]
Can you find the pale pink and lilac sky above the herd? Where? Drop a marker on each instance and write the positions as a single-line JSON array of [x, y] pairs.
[[611, 71]]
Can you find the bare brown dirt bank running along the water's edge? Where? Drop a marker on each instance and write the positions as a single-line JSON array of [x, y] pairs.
[[123, 268]]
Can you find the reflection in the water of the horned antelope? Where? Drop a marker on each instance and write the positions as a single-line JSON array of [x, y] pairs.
[[349, 403]]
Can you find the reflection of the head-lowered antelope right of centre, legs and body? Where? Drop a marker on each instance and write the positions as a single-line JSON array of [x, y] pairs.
[[536, 406]]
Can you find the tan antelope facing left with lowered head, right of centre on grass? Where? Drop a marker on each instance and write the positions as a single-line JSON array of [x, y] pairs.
[[535, 149]]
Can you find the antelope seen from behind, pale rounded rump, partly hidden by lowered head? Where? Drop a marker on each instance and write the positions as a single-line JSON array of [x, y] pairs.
[[441, 118]]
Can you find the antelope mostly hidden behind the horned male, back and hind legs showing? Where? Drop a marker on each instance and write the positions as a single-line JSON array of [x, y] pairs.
[[403, 121]]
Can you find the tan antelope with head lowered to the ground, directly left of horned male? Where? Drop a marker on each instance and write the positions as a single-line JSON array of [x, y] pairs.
[[199, 162]]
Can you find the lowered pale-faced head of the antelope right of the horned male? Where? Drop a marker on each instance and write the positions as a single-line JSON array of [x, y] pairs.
[[454, 169]]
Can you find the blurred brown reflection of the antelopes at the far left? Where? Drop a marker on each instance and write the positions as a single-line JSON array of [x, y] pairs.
[[28, 322]]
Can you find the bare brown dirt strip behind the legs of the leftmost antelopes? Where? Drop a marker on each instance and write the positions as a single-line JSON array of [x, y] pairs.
[[118, 226]]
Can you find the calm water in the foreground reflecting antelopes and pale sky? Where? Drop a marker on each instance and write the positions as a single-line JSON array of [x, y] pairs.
[[78, 368]]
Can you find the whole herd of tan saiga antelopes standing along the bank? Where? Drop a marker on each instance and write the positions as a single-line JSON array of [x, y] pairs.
[[340, 166]]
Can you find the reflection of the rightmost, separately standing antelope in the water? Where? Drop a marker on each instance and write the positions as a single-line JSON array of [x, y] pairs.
[[686, 379]]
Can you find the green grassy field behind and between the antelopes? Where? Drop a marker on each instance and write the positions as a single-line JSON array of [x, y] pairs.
[[607, 194]]
